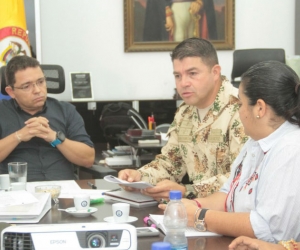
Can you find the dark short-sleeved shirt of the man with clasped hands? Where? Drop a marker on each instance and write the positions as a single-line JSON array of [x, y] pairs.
[[44, 161]]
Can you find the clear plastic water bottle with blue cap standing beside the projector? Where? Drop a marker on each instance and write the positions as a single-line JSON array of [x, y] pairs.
[[175, 221]]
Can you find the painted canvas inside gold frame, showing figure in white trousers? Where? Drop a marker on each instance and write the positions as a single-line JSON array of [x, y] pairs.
[[177, 20]]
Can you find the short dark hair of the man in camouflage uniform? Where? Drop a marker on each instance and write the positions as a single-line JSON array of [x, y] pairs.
[[196, 47]]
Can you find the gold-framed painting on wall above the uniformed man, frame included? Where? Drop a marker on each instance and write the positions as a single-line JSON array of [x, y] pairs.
[[159, 25]]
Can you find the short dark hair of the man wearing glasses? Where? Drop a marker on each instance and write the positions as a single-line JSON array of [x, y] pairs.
[[18, 63]]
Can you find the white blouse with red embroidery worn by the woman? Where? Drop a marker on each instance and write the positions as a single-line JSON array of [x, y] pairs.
[[269, 184]]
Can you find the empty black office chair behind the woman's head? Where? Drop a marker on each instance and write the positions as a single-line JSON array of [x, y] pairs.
[[245, 58]]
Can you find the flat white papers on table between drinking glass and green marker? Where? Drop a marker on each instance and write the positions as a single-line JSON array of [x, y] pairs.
[[68, 189]]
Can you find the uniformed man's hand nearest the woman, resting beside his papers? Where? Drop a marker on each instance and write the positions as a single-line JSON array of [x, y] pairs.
[[162, 189]]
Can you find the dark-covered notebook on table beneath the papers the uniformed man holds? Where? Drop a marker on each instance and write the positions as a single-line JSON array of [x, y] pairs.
[[135, 199]]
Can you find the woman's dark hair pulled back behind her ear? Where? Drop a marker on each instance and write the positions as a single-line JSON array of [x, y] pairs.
[[277, 85]]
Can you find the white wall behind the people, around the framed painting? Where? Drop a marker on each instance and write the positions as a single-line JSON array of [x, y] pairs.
[[117, 75]]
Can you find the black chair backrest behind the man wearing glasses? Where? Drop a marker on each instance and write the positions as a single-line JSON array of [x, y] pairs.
[[55, 76]]
